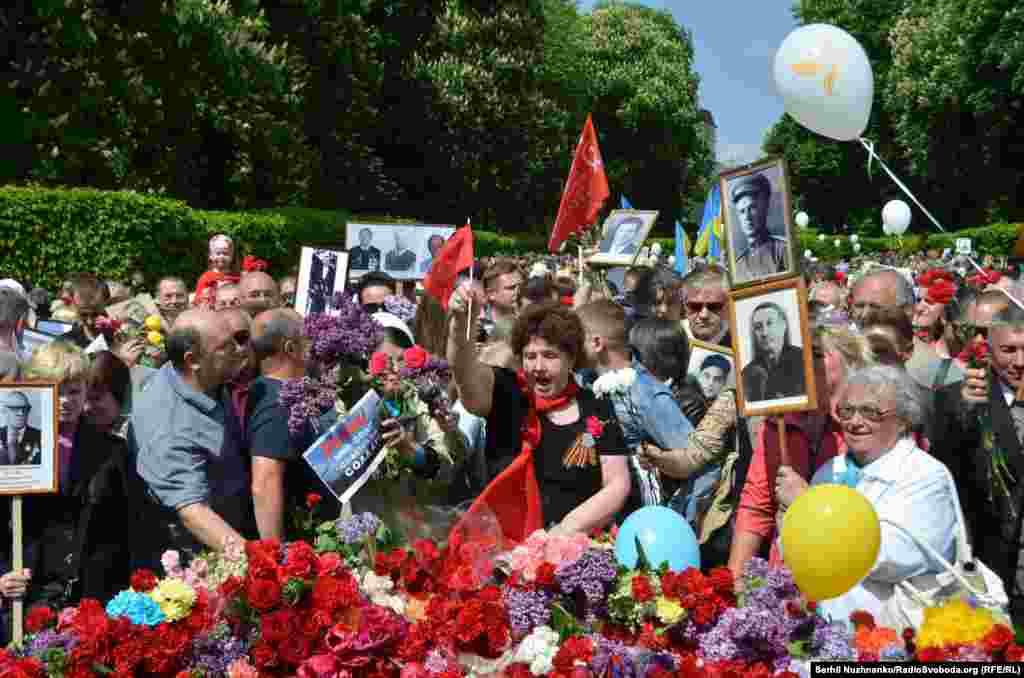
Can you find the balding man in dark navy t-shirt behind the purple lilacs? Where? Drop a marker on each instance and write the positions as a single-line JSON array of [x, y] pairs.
[[279, 474]]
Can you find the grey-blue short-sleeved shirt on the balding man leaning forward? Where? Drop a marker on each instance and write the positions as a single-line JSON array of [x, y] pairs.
[[188, 446]]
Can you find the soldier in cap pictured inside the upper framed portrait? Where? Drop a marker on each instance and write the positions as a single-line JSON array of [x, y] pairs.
[[759, 250]]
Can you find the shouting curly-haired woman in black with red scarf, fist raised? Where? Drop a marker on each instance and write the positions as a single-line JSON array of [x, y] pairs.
[[561, 453]]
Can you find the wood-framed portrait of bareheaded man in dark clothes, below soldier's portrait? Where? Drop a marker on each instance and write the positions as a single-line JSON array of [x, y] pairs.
[[772, 344]]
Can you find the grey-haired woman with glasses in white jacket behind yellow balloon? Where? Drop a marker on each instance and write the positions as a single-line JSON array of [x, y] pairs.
[[912, 492]]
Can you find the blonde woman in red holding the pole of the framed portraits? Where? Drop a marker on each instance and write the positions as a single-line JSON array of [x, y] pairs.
[[813, 439]]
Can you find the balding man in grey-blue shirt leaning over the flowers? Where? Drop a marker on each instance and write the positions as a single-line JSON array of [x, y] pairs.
[[187, 441]]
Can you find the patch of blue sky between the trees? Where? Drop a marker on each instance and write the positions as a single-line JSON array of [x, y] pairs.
[[736, 45]]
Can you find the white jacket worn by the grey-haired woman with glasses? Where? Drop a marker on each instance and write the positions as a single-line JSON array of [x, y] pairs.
[[910, 488]]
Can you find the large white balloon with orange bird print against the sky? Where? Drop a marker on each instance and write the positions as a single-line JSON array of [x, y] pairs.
[[826, 81]]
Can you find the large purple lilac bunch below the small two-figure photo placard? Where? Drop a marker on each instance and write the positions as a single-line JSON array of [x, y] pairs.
[[347, 335]]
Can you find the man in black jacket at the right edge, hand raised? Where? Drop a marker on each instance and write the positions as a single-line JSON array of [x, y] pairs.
[[982, 443]]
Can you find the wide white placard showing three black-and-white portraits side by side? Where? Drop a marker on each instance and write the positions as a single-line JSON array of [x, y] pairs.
[[404, 251]]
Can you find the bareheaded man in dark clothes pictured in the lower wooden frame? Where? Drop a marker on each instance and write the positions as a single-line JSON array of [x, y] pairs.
[[778, 368]]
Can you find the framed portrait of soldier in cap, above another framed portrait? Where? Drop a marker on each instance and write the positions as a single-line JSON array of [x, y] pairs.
[[759, 228]]
